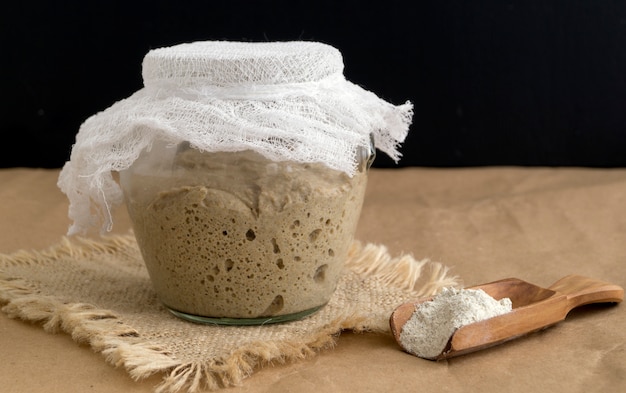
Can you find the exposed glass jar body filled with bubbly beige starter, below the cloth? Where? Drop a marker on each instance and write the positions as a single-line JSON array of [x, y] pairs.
[[236, 238]]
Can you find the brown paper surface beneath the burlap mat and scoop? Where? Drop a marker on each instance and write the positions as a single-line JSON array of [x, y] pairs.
[[537, 224]]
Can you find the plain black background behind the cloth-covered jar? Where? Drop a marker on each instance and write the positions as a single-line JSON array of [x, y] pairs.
[[493, 82]]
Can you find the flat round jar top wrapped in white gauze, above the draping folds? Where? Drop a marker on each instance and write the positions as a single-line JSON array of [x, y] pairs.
[[230, 63]]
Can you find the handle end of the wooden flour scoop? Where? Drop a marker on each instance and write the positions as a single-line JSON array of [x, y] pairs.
[[581, 290]]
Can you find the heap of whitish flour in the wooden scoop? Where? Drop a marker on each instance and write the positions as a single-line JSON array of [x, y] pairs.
[[429, 329]]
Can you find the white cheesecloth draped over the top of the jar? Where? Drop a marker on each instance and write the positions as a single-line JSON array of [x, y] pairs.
[[284, 100]]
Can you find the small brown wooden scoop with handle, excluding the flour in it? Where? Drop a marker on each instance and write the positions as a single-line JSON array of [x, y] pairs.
[[534, 308]]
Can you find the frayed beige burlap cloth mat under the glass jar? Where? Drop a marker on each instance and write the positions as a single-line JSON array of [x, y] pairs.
[[99, 292]]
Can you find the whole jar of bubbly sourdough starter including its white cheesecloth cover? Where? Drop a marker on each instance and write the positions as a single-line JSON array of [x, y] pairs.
[[243, 166]]
